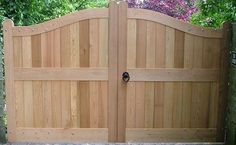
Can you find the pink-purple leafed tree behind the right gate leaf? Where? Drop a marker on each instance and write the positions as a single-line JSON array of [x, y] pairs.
[[180, 9]]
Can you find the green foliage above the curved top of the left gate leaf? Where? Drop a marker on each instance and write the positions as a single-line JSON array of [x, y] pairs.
[[28, 12]]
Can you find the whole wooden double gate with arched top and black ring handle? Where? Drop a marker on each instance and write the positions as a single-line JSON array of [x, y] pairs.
[[64, 78]]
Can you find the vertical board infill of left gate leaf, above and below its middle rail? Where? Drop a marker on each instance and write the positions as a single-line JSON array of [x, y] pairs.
[[49, 103]]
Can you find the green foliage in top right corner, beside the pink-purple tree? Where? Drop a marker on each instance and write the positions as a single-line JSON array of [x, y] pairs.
[[213, 13]]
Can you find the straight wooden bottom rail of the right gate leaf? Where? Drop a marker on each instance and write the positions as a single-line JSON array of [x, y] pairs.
[[171, 135]]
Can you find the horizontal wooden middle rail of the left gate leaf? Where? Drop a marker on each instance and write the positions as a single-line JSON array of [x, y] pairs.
[[61, 74]]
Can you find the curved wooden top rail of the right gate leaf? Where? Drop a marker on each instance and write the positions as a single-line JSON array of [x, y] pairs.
[[174, 23]]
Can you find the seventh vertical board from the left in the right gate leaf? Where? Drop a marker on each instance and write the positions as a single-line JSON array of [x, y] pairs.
[[187, 86]]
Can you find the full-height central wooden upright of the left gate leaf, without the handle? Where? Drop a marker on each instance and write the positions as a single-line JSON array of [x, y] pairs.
[[112, 72]]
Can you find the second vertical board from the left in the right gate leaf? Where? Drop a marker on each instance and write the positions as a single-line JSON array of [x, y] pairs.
[[140, 63]]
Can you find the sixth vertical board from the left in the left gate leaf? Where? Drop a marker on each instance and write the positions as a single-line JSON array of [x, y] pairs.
[[65, 62]]
